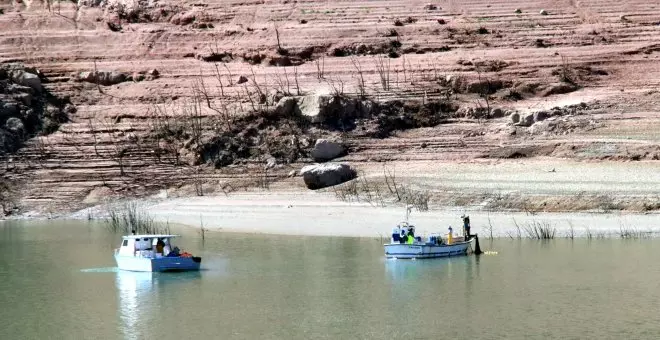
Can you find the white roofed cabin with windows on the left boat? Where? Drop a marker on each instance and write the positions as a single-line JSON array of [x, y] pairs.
[[150, 246]]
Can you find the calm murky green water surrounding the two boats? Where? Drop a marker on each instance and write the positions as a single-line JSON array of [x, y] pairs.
[[59, 282]]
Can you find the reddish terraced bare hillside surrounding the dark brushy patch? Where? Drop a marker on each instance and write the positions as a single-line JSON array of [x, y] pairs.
[[412, 46]]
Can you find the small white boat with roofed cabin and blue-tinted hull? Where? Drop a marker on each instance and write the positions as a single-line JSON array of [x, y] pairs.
[[153, 253]]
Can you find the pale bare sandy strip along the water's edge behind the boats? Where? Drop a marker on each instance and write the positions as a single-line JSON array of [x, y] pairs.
[[320, 214]]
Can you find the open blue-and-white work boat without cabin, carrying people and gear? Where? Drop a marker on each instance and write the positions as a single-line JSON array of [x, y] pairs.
[[401, 247]]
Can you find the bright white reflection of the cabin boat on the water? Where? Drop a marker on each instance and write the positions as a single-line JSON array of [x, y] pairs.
[[139, 296]]
